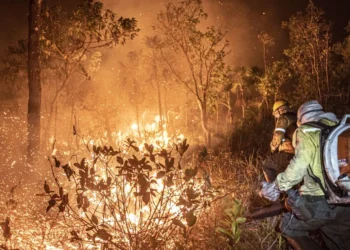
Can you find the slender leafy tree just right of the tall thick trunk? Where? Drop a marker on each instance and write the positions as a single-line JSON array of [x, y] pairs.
[[70, 42]]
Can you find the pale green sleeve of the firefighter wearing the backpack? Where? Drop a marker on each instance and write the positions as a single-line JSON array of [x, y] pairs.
[[297, 168]]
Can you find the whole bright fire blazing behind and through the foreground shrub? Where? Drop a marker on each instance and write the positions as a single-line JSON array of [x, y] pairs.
[[123, 205]]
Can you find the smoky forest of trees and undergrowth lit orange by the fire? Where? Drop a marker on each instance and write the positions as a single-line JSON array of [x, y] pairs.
[[70, 100]]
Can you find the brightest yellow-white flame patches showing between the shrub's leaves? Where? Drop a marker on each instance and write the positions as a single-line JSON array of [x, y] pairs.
[[134, 217]]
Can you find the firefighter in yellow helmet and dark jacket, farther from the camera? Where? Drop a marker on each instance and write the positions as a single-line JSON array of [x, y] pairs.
[[282, 150]]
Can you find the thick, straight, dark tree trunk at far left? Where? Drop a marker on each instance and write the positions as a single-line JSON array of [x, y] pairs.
[[34, 79]]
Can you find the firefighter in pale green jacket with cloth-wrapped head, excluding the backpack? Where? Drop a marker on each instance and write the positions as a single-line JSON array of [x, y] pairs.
[[311, 210]]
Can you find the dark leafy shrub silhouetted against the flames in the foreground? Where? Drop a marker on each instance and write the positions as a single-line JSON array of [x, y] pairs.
[[128, 199]]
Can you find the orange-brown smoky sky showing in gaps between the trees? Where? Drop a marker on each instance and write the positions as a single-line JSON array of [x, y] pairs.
[[115, 81]]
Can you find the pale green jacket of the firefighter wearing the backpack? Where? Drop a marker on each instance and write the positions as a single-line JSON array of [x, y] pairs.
[[307, 156]]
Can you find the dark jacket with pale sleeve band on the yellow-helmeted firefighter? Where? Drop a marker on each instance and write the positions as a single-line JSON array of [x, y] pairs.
[[283, 133]]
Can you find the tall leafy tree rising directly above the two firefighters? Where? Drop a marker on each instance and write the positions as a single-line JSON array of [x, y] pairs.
[[309, 53]]
